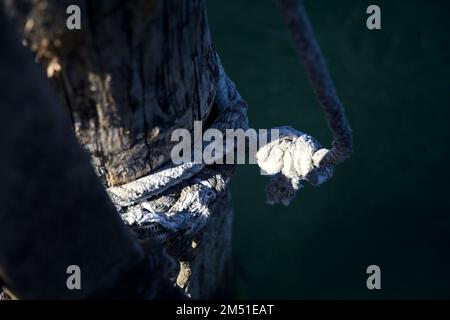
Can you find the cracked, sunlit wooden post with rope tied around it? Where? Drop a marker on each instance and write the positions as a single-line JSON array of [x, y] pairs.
[[135, 71]]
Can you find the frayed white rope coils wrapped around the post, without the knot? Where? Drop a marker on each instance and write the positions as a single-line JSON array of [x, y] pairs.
[[197, 185]]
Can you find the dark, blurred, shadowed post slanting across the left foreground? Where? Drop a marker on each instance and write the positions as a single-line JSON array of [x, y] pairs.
[[54, 212]]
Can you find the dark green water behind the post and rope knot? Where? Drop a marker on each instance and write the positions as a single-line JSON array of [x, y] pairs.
[[389, 204]]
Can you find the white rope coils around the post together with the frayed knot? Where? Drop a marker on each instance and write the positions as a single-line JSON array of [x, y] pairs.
[[187, 191]]
